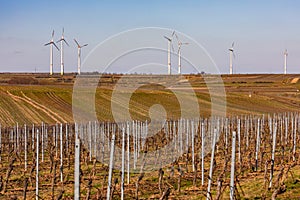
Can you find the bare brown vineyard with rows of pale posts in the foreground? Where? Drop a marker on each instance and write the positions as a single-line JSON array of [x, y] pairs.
[[242, 157]]
